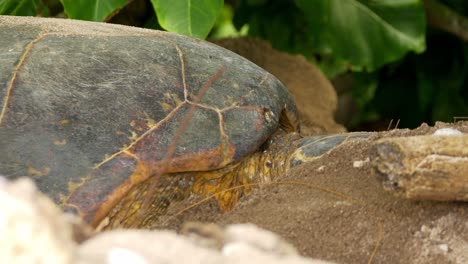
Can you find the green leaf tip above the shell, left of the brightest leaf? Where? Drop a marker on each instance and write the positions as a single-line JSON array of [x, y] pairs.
[[93, 10]]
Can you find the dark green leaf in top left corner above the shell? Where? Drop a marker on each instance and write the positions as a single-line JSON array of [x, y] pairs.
[[23, 8]]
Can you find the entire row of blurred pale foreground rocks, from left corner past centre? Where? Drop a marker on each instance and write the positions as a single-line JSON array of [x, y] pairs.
[[34, 230]]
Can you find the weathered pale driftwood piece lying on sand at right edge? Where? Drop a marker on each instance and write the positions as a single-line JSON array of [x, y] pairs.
[[424, 167]]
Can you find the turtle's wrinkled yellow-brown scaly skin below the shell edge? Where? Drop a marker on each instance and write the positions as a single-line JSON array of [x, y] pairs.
[[265, 165]]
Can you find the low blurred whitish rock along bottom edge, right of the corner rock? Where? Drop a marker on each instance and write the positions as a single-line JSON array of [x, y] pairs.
[[243, 244]]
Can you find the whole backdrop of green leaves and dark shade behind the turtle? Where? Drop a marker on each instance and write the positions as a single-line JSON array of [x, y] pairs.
[[404, 63]]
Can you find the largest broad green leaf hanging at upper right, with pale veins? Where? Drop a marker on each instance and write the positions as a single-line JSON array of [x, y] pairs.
[[365, 34]]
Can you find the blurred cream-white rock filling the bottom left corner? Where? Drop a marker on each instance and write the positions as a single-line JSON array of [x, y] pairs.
[[32, 228]]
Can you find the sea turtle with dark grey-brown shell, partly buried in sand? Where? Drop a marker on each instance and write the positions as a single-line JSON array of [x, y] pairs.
[[105, 117]]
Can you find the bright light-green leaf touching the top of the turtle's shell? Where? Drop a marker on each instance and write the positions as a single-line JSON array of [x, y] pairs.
[[188, 17]]
